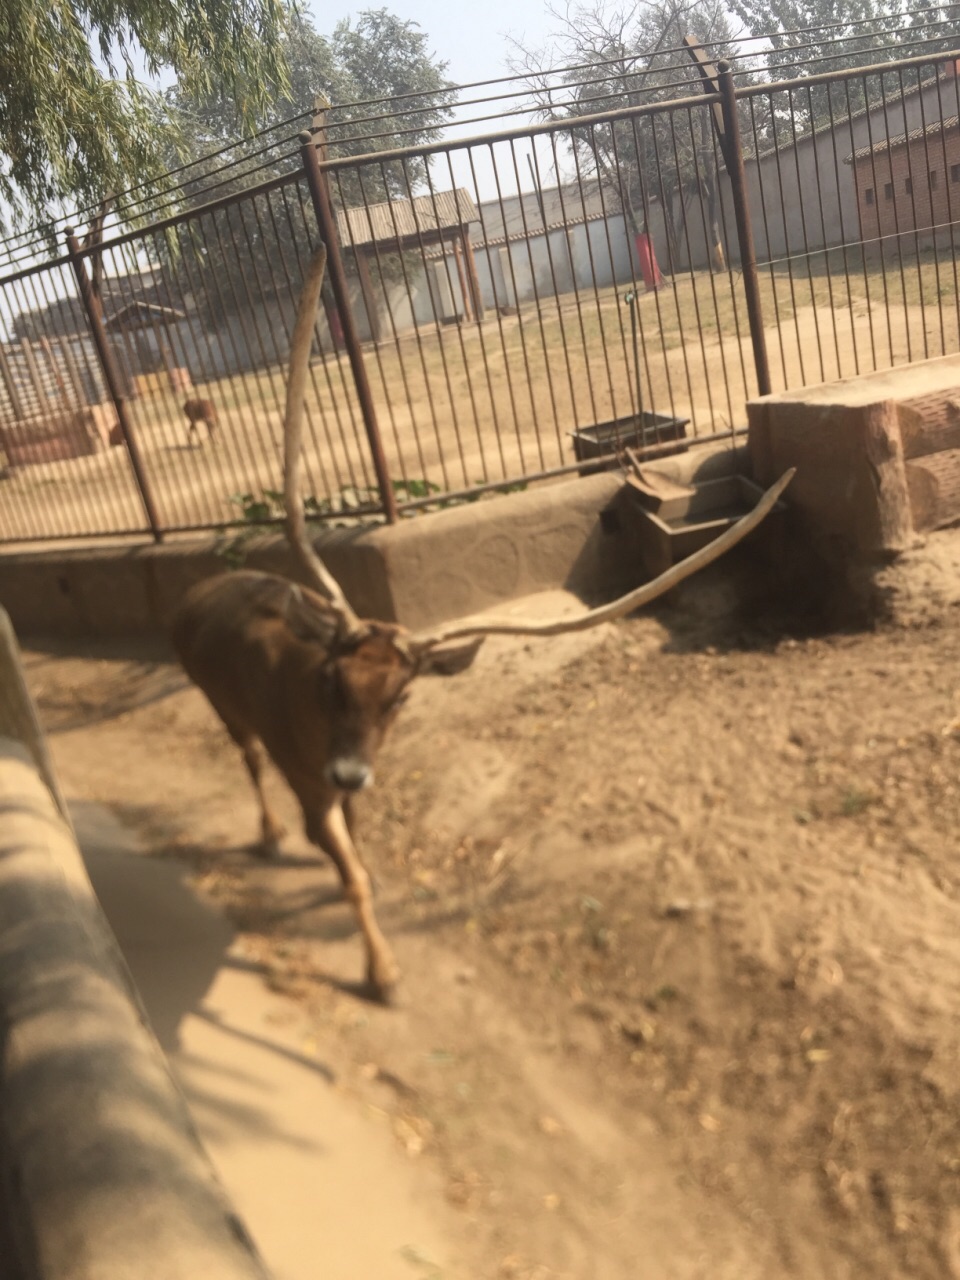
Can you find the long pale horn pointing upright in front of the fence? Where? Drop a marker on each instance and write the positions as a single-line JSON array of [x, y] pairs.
[[292, 437]]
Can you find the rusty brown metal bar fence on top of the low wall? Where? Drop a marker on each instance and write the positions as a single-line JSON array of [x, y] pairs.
[[497, 308]]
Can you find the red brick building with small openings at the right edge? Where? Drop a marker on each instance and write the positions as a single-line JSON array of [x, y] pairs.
[[909, 182]]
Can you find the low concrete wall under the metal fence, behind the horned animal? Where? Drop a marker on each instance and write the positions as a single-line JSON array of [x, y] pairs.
[[419, 573]]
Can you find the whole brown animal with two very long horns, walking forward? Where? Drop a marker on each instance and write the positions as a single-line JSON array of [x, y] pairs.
[[294, 673]]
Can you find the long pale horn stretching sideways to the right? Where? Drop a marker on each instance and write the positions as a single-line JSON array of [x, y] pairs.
[[636, 600]]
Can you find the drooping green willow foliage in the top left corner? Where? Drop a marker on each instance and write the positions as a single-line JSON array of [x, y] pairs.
[[76, 120]]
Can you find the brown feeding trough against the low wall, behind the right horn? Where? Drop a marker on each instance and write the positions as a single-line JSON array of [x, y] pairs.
[[676, 522]]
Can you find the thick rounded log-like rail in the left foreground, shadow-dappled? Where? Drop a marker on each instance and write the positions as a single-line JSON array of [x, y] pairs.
[[102, 1174]]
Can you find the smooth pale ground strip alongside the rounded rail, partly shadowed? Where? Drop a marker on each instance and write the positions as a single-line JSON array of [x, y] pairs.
[[268, 1107]]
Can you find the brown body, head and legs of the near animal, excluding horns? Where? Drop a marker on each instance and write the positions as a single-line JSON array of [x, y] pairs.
[[268, 659]]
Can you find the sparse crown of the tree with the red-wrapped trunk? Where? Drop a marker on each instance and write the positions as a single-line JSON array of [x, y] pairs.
[[624, 58]]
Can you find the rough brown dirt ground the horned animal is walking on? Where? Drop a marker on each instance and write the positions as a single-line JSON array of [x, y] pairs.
[[679, 909]]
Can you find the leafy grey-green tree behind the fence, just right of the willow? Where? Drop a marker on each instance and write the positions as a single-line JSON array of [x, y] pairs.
[[380, 57]]
